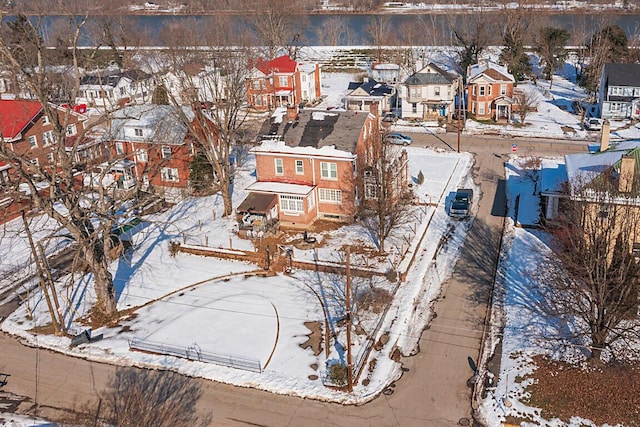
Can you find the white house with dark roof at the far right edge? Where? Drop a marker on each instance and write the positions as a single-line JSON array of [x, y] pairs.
[[619, 93]]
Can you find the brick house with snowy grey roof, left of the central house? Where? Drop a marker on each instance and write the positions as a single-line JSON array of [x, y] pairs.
[[151, 143]]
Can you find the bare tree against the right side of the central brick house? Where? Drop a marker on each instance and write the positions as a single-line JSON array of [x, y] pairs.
[[386, 202]]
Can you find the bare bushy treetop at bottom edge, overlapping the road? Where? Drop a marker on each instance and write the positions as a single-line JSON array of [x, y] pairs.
[[138, 397]]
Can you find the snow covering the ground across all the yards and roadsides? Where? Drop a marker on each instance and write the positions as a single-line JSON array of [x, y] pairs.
[[192, 302]]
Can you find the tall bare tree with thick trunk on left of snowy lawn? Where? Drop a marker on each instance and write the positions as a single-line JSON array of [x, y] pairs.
[[55, 185]]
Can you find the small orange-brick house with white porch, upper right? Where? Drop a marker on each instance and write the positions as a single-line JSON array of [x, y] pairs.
[[489, 91]]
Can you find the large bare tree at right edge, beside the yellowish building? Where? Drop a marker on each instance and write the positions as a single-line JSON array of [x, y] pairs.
[[599, 227]]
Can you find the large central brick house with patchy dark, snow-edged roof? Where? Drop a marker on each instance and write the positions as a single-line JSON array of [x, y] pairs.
[[309, 167]]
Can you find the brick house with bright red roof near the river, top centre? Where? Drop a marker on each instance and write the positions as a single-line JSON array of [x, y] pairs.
[[281, 82]]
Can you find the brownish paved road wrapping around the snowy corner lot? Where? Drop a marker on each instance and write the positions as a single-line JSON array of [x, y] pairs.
[[433, 392]]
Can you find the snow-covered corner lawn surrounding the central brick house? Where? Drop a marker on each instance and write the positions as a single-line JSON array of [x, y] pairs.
[[224, 307]]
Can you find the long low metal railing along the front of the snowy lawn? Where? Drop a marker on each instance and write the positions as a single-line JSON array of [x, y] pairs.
[[193, 352]]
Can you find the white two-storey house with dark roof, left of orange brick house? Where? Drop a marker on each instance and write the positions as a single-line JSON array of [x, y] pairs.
[[430, 93]]
